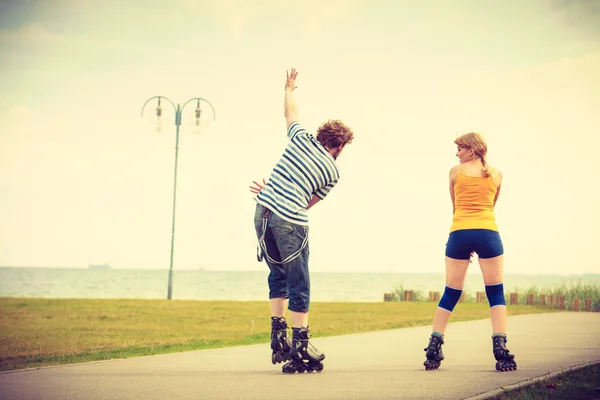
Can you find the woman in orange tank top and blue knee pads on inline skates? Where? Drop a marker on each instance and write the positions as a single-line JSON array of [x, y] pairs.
[[474, 190]]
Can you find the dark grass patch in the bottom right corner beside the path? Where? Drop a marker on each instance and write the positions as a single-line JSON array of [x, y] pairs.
[[583, 384]]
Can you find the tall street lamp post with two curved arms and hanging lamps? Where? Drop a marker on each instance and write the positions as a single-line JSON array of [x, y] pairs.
[[178, 111]]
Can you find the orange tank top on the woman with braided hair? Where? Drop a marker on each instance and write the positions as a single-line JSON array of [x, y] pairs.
[[474, 203]]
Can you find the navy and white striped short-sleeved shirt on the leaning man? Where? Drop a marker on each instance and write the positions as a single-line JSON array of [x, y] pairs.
[[305, 169]]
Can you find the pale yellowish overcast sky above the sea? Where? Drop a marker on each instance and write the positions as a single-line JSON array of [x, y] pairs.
[[85, 179]]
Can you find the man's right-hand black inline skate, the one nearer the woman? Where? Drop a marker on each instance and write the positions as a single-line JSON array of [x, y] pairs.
[[304, 356]]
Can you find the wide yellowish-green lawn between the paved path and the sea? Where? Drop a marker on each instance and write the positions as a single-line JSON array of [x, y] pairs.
[[42, 332]]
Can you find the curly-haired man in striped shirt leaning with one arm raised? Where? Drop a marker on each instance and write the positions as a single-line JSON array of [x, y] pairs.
[[304, 175]]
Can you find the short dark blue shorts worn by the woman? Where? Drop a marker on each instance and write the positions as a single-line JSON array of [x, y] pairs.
[[486, 243]]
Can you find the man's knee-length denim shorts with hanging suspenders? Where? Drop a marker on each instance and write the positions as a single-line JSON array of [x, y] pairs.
[[282, 238]]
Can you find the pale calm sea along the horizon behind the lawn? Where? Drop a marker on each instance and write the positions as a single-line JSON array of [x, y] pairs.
[[112, 283]]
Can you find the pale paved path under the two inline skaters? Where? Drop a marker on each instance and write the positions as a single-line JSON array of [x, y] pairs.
[[376, 365]]
